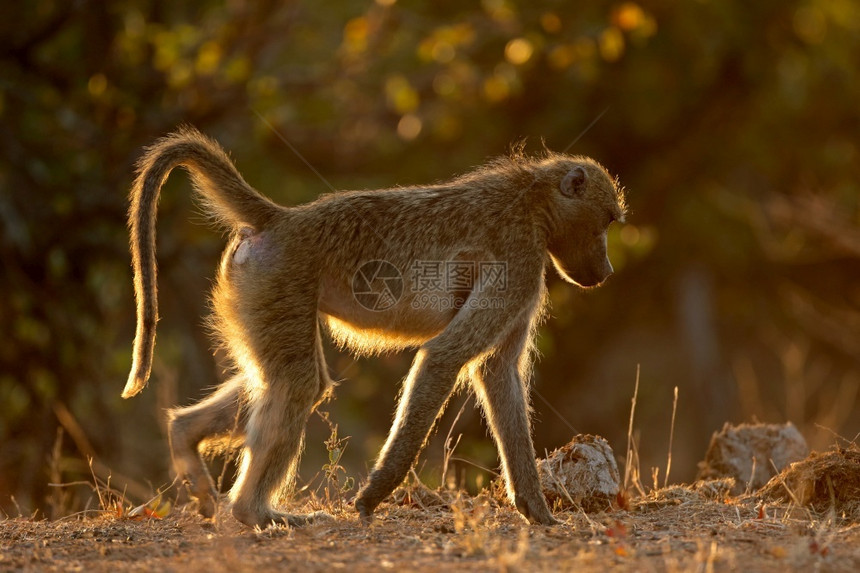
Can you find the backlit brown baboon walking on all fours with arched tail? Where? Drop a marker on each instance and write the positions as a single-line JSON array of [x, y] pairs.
[[287, 271]]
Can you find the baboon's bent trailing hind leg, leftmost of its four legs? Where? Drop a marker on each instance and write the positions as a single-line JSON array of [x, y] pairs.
[[218, 415]]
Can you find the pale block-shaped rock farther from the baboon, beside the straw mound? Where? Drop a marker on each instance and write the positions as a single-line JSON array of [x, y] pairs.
[[752, 454]]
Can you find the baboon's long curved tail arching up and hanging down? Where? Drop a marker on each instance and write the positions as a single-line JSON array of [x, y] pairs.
[[226, 196]]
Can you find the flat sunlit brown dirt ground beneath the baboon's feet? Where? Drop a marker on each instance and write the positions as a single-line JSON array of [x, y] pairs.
[[679, 528]]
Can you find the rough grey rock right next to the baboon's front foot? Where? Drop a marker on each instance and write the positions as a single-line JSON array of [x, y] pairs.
[[581, 474]]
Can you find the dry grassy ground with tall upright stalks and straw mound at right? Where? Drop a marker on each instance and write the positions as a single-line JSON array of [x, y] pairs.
[[806, 518]]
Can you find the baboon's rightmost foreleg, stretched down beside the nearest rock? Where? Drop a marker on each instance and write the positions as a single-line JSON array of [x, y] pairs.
[[504, 397]]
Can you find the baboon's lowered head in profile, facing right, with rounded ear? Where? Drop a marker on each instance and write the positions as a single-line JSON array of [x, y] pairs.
[[584, 201]]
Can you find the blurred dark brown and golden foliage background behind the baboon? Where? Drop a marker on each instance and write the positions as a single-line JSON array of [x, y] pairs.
[[734, 126]]
